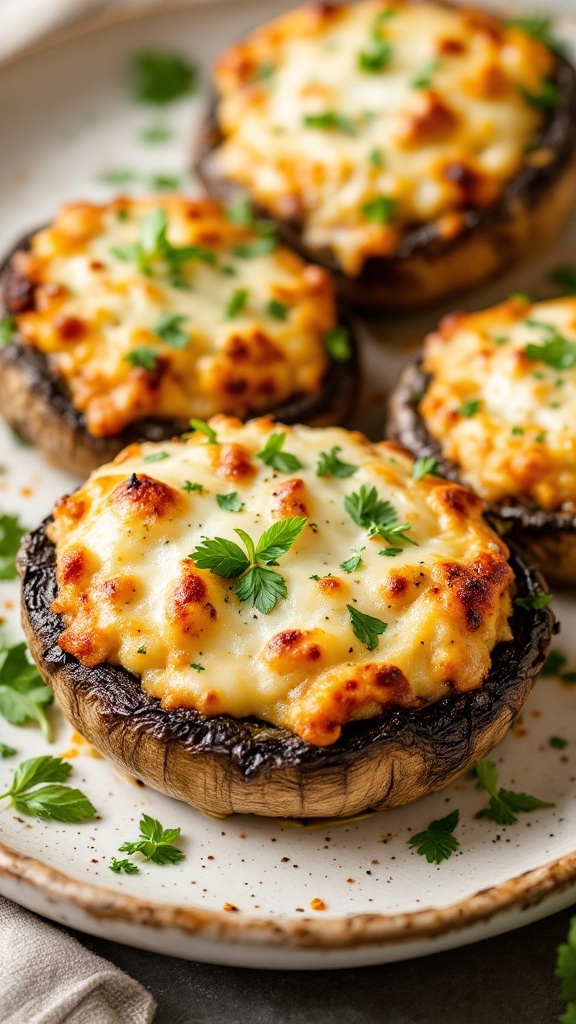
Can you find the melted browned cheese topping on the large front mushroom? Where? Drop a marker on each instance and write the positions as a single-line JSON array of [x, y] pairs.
[[131, 595]]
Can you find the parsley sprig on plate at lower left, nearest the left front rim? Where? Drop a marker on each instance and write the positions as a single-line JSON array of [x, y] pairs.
[[53, 800]]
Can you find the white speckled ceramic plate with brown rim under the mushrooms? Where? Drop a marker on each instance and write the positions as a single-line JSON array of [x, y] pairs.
[[67, 117]]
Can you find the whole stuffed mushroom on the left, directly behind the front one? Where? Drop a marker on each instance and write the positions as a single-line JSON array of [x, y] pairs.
[[130, 319]]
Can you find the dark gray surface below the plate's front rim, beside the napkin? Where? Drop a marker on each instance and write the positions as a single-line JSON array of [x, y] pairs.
[[509, 980]]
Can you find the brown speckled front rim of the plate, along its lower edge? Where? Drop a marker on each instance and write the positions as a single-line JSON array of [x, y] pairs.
[[524, 891]]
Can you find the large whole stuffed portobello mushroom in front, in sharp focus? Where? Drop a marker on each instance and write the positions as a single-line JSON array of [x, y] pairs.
[[282, 621]]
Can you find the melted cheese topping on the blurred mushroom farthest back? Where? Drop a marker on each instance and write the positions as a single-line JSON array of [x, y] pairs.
[[438, 126]]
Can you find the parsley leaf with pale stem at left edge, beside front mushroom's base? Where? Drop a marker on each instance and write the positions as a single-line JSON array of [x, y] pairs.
[[23, 694]]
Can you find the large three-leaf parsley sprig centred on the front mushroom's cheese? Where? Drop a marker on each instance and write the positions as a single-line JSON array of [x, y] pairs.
[[256, 583]]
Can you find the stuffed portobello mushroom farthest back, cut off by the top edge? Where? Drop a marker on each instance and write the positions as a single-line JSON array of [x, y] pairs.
[[412, 147]]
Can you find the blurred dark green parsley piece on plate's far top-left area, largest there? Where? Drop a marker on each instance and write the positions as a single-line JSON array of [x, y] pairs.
[[160, 77]]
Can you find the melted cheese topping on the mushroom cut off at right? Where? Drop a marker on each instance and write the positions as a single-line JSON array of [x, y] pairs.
[[520, 441]]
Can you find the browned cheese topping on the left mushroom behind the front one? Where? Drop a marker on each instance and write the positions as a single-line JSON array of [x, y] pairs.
[[94, 309]]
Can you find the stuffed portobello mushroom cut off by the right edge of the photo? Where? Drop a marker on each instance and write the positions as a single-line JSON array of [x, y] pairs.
[[492, 402]]
